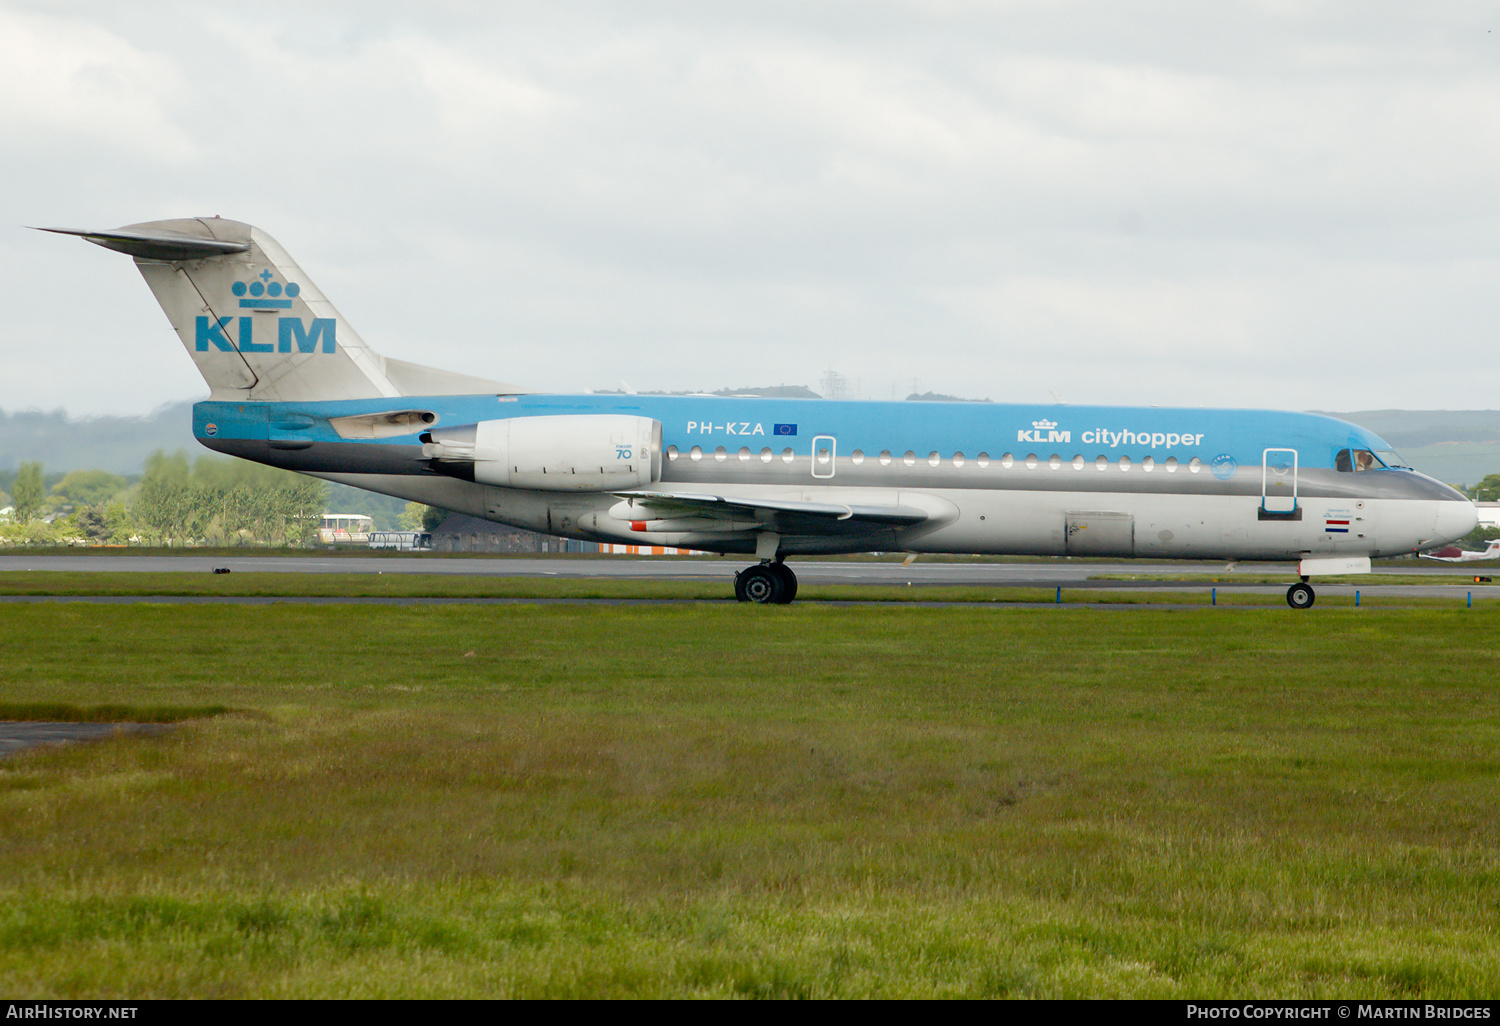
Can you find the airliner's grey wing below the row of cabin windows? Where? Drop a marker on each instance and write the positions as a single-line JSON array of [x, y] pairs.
[[701, 512]]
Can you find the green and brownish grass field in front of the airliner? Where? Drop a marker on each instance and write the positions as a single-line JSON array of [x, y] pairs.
[[716, 800]]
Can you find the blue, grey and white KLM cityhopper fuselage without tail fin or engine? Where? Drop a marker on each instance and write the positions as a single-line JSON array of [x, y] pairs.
[[988, 479]]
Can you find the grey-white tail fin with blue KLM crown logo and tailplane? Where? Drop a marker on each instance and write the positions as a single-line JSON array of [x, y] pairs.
[[256, 325]]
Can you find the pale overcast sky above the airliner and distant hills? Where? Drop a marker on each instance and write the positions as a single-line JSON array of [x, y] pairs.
[[1288, 205]]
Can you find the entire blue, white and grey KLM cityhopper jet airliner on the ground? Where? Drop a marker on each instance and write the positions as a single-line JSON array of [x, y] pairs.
[[293, 386]]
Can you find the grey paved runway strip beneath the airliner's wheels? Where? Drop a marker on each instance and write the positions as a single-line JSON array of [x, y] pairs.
[[1066, 574]]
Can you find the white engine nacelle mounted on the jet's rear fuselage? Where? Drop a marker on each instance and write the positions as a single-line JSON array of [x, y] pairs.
[[566, 454]]
